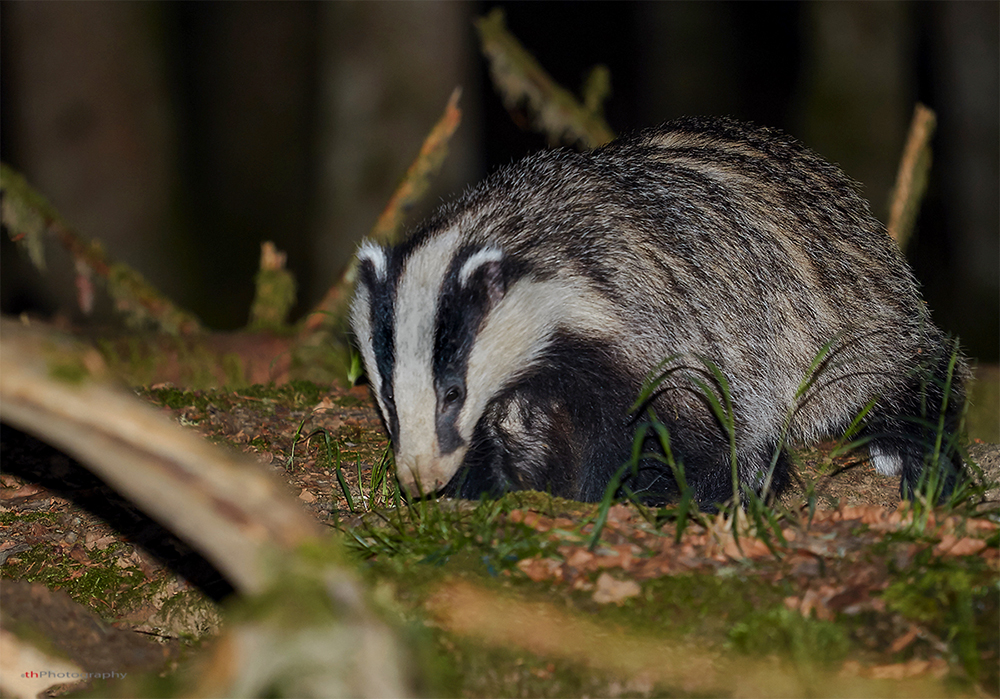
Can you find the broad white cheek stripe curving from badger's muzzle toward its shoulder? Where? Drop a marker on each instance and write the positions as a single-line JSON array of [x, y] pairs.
[[520, 328]]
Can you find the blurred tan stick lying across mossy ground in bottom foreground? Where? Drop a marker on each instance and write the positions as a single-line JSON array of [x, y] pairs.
[[642, 659]]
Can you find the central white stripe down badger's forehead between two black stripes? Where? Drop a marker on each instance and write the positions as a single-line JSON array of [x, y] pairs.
[[413, 380]]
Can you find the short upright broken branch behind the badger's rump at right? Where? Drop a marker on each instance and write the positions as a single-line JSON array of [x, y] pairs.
[[912, 176]]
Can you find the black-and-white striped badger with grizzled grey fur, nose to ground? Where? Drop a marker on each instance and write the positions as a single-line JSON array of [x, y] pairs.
[[507, 339]]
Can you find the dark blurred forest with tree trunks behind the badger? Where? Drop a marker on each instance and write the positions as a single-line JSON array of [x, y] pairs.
[[183, 134]]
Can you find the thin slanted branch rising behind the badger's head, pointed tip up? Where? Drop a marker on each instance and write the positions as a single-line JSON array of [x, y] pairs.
[[414, 185]]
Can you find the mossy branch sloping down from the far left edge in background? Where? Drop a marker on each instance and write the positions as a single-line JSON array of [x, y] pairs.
[[28, 217]]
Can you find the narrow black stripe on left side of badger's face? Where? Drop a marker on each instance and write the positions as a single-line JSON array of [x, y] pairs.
[[381, 306]]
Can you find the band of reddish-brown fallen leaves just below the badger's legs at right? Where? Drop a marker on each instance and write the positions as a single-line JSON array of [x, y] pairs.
[[643, 552]]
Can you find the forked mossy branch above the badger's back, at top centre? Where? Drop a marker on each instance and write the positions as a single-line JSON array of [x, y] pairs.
[[521, 80]]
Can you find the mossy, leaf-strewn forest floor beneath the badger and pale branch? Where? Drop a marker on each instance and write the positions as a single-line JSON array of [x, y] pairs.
[[841, 593]]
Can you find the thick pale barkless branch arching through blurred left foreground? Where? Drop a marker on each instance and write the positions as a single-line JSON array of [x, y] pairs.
[[222, 503]]
